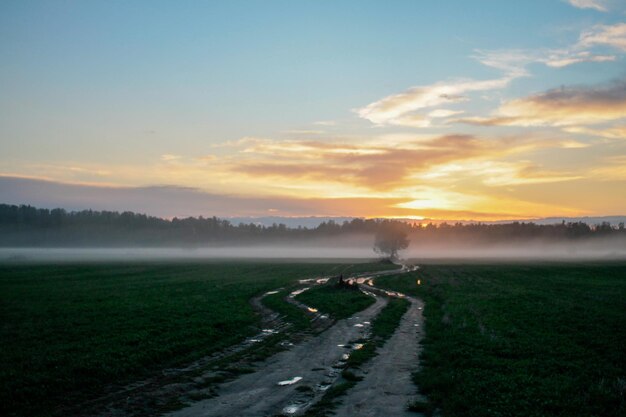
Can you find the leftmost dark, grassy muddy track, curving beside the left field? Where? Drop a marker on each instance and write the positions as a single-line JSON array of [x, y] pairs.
[[200, 379]]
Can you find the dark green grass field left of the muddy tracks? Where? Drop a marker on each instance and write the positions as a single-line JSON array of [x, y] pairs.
[[69, 329]]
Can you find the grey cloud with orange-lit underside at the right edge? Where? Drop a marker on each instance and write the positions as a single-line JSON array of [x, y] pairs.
[[566, 106]]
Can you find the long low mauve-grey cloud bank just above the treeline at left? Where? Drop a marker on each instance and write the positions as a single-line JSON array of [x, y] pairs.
[[171, 201]]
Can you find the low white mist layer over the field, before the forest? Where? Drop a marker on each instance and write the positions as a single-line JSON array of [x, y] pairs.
[[349, 247]]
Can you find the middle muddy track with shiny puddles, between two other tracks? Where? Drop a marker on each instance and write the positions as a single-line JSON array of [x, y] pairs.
[[291, 380]]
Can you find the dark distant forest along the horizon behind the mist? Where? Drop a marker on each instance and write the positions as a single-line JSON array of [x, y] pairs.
[[28, 226]]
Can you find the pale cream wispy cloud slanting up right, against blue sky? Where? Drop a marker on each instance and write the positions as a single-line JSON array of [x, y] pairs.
[[400, 109]]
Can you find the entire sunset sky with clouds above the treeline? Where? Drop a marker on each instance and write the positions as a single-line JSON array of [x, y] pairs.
[[455, 109]]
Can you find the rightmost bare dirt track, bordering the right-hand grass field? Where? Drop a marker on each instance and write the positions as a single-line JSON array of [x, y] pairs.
[[387, 387]]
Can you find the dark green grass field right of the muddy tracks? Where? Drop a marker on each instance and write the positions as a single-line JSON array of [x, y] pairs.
[[532, 340]]
